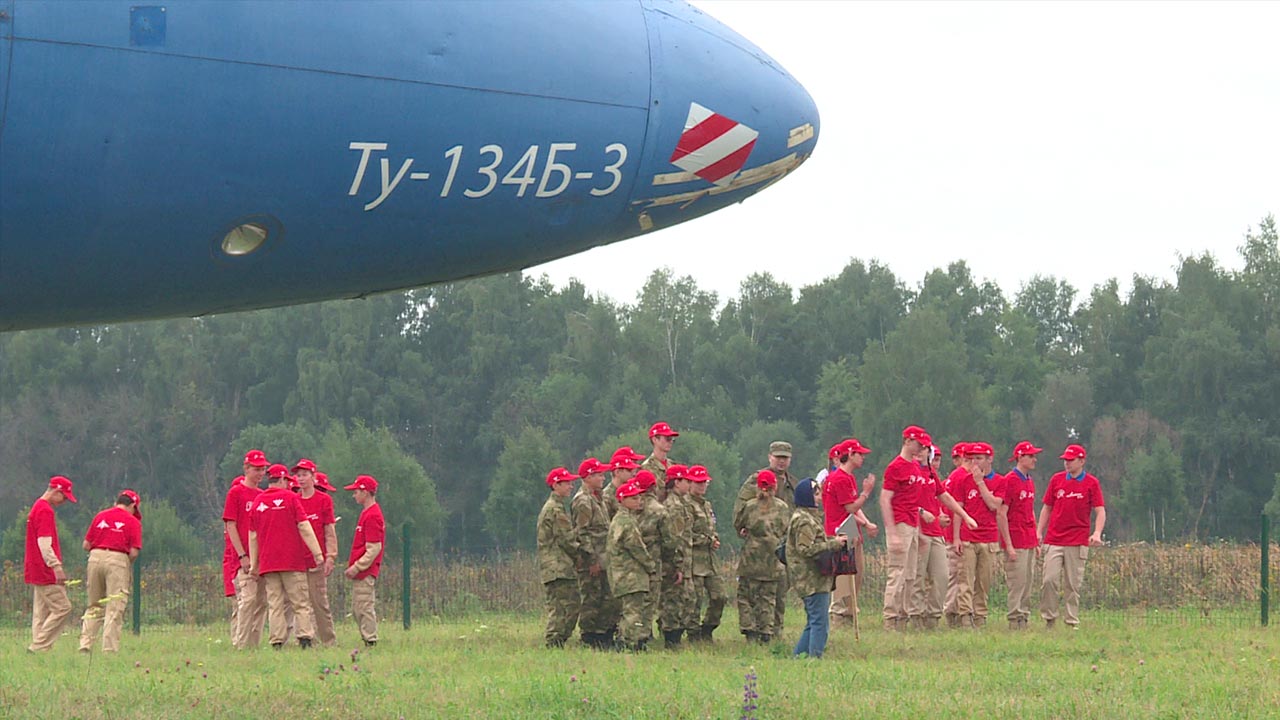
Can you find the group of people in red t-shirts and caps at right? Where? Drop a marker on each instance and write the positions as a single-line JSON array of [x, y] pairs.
[[945, 535]]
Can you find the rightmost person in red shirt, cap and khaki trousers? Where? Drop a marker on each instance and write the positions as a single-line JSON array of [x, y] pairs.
[[1069, 500]]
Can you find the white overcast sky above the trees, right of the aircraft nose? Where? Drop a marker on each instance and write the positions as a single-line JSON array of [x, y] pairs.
[[1080, 140]]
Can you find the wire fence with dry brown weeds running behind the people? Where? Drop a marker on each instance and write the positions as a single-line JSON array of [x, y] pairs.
[[1219, 585]]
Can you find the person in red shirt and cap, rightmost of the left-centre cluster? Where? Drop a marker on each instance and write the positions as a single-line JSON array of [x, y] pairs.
[[368, 548]]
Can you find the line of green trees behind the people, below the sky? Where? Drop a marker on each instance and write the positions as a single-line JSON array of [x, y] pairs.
[[460, 398]]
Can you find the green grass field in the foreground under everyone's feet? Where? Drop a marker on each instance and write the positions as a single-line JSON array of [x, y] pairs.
[[496, 667]]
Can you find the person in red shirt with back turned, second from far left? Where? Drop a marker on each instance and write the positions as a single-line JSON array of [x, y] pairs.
[[113, 541]]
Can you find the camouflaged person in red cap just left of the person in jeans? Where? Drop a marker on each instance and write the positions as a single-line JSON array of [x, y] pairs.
[[764, 525]]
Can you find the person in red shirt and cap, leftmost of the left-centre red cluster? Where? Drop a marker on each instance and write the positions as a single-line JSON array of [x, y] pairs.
[[250, 613]]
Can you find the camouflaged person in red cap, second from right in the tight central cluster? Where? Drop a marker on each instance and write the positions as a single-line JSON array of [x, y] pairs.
[[679, 601]]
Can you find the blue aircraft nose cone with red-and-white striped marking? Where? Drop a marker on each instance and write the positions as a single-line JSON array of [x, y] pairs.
[[725, 120]]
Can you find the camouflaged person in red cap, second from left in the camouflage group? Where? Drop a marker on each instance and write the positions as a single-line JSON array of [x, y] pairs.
[[598, 617]]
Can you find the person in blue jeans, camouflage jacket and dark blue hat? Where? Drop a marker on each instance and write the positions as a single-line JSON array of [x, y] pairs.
[[806, 541]]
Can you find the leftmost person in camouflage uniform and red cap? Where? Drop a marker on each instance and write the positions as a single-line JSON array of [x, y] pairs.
[[557, 554]]
